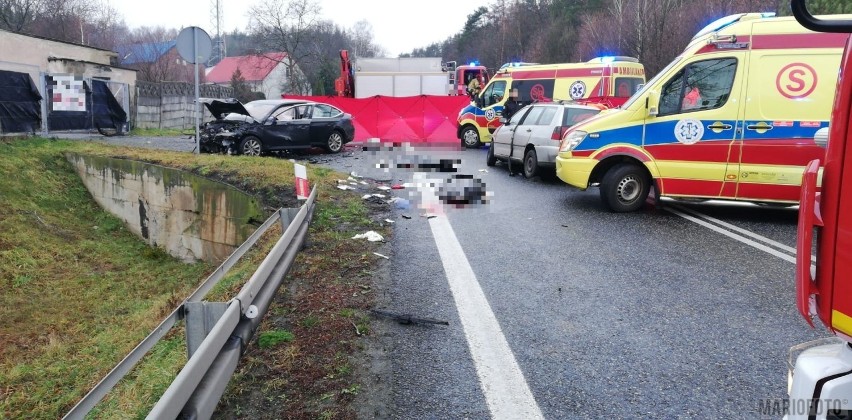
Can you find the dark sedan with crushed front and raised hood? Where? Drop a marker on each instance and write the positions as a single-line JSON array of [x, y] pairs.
[[270, 126]]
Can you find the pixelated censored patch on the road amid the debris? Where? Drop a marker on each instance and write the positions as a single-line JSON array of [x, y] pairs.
[[430, 174]]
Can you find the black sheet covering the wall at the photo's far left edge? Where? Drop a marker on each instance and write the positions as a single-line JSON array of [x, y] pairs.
[[20, 111]]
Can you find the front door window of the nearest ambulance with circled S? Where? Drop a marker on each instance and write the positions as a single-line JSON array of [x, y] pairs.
[[700, 86]]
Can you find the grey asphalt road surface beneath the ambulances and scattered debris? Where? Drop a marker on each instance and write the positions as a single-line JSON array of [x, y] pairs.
[[642, 315]]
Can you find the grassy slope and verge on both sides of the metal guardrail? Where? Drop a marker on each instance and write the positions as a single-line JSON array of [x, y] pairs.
[[79, 291]]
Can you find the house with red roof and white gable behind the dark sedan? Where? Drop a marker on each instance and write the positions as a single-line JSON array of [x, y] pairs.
[[264, 73]]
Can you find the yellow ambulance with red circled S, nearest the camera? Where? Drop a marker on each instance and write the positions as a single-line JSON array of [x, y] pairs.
[[733, 117]]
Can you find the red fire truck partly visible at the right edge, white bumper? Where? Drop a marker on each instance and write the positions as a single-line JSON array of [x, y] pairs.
[[820, 381]]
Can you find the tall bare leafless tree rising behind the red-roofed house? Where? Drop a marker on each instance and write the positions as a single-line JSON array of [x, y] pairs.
[[286, 26]]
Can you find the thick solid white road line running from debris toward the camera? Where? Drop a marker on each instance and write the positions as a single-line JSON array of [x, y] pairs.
[[503, 384]]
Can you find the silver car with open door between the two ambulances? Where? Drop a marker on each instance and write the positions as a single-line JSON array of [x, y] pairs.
[[531, 137]]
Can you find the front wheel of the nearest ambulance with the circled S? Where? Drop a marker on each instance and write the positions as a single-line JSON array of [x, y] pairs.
[[624, 188]]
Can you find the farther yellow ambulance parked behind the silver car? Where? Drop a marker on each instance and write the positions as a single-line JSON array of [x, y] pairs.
[[606, 80]]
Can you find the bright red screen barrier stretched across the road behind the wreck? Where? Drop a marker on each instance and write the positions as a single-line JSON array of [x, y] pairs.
[[424, 118]]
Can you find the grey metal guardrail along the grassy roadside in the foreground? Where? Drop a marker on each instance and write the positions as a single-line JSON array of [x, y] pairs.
[[198, 387]]
